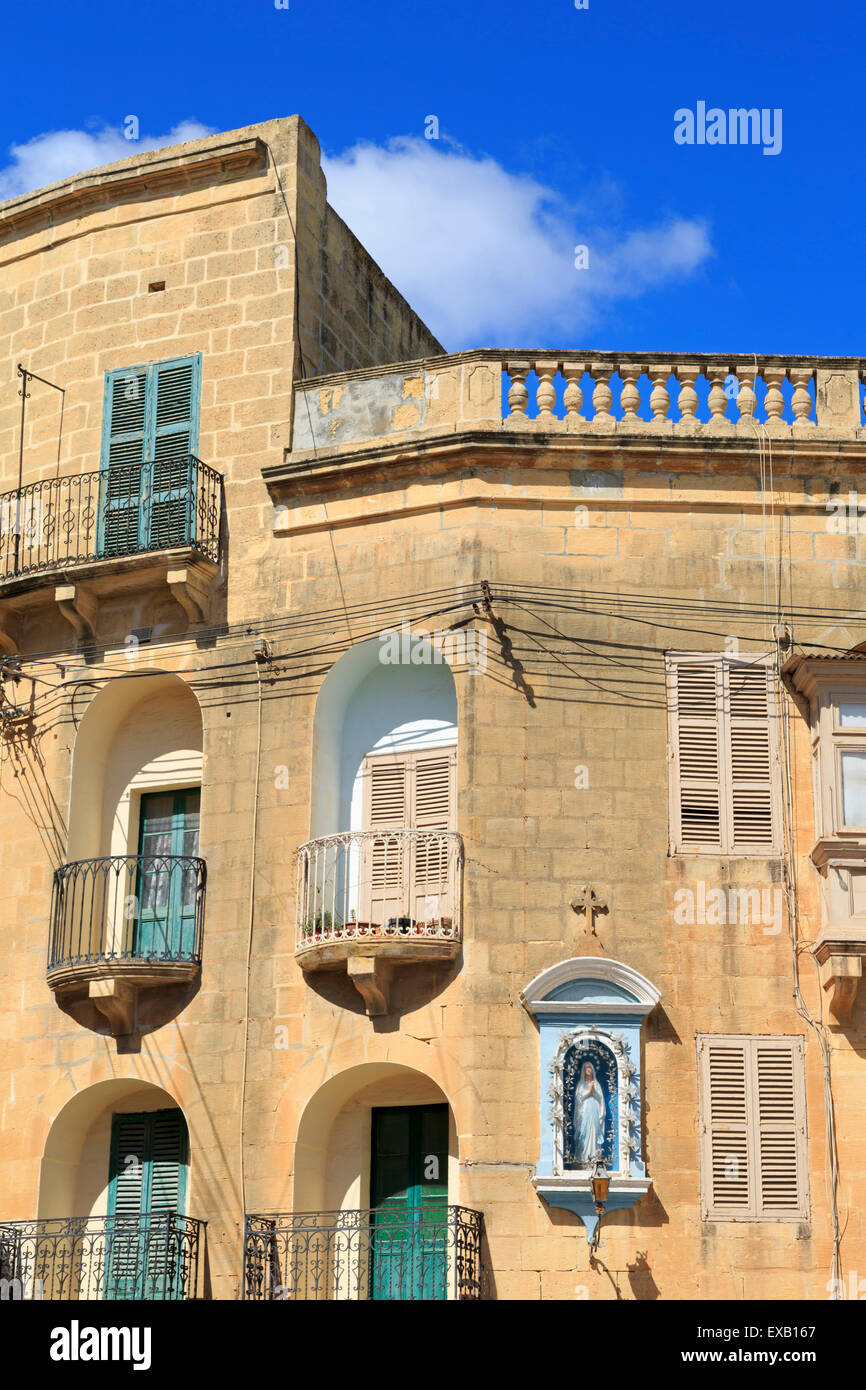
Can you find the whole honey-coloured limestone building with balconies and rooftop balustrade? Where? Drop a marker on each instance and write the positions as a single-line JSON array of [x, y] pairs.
[[430, 782]]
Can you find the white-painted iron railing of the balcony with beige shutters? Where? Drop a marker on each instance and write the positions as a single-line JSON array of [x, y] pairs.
[[380, 885]]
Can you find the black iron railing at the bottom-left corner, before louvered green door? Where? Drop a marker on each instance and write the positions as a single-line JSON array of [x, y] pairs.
[[102, 1257]]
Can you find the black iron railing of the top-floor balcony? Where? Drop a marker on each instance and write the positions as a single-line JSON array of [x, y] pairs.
[[124, 511]]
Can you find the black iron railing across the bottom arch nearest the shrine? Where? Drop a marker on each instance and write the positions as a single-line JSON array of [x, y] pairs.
[[380, 1256]]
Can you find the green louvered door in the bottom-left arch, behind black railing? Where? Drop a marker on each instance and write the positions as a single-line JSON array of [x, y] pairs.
[[147, 1185]]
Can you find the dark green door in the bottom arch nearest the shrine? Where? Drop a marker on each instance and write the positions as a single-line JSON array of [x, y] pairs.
[[409, 1199]]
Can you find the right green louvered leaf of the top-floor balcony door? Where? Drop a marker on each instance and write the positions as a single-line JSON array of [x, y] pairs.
[[172, 521]]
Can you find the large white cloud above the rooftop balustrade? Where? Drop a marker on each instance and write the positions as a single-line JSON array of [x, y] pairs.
[[489, 256]]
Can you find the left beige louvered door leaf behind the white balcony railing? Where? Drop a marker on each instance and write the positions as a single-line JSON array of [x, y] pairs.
[[383, 889]]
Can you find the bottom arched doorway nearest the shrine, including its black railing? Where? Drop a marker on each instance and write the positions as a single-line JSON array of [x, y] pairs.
[[377, 1211]]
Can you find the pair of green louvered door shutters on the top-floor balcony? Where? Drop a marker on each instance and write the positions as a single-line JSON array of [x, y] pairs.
[[151, 425]]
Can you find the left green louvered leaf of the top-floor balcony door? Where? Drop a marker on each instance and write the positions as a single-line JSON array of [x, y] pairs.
[[124, 447]]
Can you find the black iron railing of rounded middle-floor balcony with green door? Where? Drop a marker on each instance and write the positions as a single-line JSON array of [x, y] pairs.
[[129, 908]]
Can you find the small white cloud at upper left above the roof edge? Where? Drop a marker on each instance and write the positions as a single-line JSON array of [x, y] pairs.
[[58, 155]]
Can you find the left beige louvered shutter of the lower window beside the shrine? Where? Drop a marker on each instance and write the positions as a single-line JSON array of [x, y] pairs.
[[726, 1150]]
